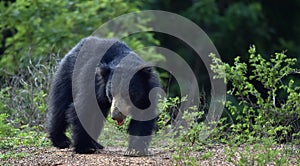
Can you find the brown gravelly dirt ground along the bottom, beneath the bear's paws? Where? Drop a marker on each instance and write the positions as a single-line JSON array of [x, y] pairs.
[[114, 156]]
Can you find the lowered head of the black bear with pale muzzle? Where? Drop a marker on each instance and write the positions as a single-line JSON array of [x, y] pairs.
[[129, 93]]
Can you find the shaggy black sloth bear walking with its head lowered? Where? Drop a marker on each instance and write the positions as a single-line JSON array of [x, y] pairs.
[[63, 113]]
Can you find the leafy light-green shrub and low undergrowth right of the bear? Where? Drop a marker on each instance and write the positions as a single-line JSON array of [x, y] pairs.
[[263, 107]]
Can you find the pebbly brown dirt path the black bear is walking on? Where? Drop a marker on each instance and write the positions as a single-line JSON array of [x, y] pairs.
[[109, 156]]
